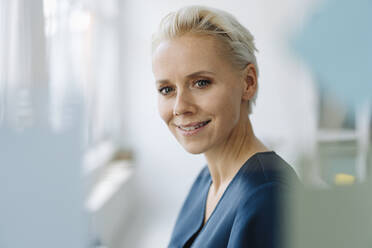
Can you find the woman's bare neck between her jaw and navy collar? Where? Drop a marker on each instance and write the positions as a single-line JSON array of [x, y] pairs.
[[225, 160]]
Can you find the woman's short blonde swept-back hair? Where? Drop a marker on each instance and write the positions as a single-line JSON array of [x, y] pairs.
[[210, 21]]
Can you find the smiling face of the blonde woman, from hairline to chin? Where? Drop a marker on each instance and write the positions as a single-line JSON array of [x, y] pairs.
[[199, 91]]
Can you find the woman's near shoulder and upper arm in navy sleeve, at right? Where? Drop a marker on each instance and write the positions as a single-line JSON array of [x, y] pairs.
[[267, 182]]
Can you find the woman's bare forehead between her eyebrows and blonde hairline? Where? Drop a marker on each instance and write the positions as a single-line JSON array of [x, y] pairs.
[[187, 54]]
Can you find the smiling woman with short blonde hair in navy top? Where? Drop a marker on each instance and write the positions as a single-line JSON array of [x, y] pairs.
[[206, 75]]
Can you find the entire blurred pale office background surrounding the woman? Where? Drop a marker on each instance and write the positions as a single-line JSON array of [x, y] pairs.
[[83, 167]]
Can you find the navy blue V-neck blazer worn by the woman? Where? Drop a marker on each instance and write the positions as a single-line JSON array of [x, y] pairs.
[[247, 215]]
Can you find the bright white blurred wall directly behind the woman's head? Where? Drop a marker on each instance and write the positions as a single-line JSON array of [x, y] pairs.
[[284, 116]]
